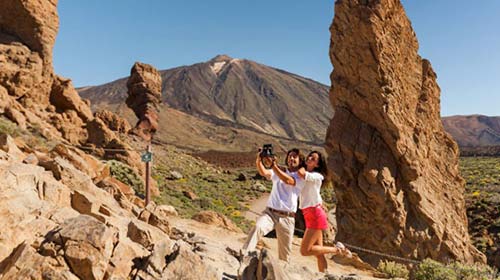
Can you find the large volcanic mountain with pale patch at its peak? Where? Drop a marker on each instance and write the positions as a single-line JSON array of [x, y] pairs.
[[228, 104]]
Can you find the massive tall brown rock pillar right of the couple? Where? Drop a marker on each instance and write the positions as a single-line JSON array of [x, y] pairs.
[[394, 167]]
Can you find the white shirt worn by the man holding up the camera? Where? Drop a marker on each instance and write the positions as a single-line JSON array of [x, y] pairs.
[[283, 196]]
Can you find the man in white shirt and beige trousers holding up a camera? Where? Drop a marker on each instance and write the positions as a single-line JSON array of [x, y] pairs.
[[281, 205]]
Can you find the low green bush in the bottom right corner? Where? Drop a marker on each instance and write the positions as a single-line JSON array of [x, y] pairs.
[[432, 270]]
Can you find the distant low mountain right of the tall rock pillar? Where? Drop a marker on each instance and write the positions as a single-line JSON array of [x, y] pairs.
[[473, 130]]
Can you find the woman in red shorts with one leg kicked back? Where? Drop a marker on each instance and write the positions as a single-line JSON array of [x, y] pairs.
[[314, 214]]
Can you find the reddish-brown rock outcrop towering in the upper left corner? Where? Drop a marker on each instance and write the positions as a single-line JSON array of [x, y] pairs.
[[36, 96]]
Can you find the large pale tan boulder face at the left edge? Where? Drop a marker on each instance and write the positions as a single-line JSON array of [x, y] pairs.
[[28, 196]]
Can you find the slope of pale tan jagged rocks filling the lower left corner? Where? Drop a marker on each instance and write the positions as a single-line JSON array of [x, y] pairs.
[[57, 224]]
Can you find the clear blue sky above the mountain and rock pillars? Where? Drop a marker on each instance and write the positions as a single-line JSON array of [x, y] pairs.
[[99, 40]]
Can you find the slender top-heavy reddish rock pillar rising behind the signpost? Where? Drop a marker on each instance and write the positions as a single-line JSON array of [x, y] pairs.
[[144, 98]]
